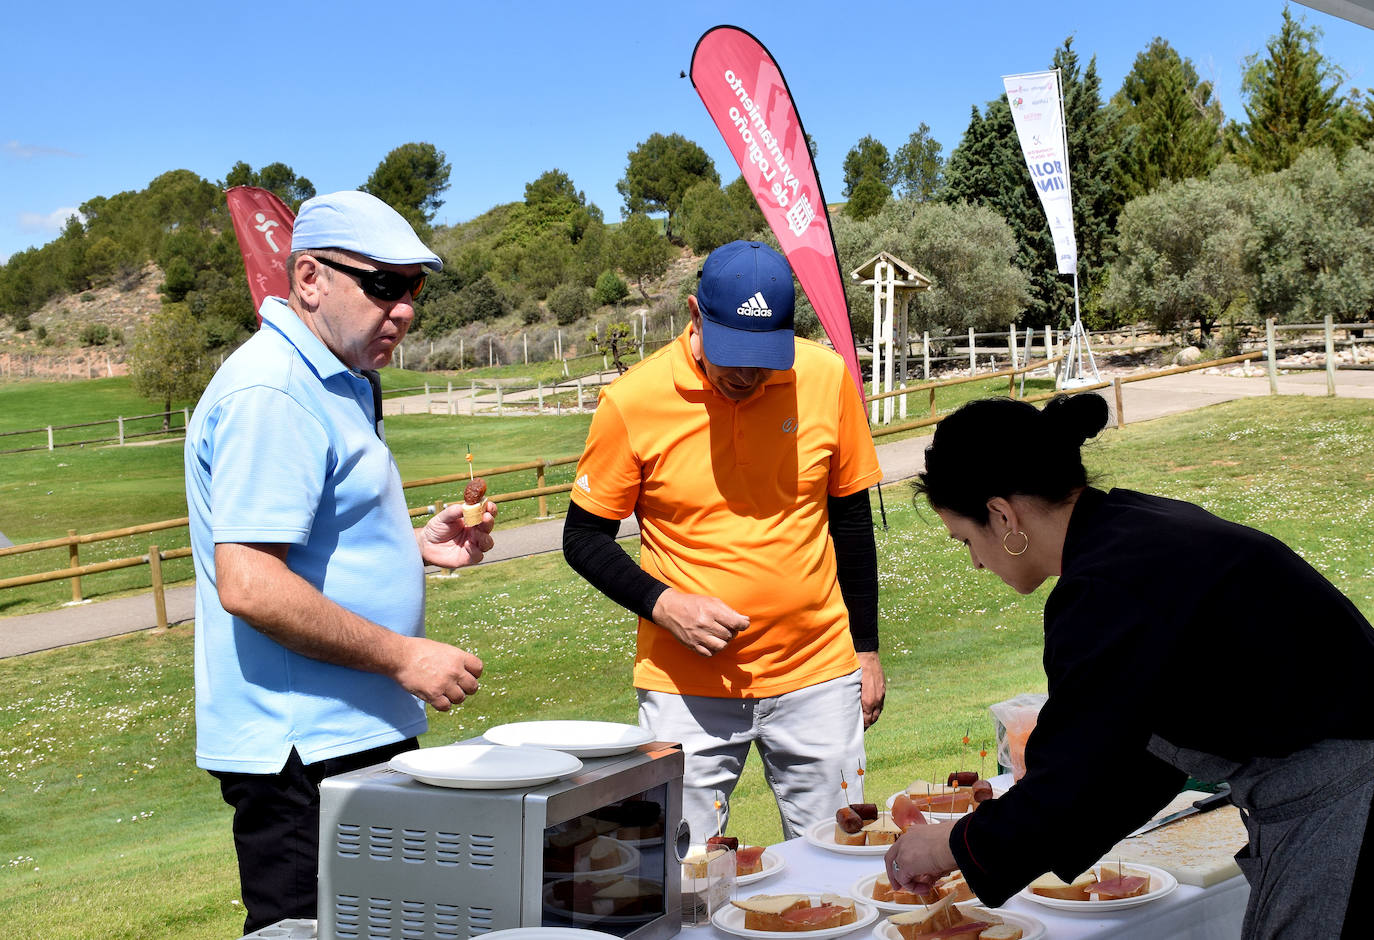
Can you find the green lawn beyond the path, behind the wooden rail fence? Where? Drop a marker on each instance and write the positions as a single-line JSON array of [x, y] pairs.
[[100, 489]]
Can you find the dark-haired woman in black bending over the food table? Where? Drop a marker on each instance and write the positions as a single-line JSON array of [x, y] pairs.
[[1175, 644]]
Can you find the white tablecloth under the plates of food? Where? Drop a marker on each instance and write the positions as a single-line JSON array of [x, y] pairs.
[[1188, 912]]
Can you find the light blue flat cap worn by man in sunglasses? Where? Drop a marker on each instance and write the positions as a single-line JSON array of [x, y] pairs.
[[359, 222]]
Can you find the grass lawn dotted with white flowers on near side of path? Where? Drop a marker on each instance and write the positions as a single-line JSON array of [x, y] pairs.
[[109, 831]]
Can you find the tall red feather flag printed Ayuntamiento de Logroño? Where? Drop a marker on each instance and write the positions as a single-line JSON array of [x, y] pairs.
[[747, 97]]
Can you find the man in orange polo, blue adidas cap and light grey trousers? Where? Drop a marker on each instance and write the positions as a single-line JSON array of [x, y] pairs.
[[747, 457]]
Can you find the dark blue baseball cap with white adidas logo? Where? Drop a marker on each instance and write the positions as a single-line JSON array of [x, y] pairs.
[[747, 306]]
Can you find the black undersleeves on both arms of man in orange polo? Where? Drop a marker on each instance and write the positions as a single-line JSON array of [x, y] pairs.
[[592, 550]]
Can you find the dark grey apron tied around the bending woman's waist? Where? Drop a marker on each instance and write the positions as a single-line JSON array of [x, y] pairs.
[[1306, 816]]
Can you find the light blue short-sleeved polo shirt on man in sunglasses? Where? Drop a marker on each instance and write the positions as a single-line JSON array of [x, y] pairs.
[[282, 449]]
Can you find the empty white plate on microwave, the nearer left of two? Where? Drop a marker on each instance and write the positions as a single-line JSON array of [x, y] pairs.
[[486, 768]]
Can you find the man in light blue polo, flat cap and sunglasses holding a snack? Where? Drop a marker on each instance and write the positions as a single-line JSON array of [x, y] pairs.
[[311, 658]]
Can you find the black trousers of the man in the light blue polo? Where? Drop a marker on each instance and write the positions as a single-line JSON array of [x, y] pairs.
[[277, 832]]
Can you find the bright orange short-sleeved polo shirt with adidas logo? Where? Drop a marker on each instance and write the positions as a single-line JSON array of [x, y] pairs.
[[732, 504]]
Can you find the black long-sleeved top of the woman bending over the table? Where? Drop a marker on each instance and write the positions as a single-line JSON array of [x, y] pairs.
[[1166, 622]]
